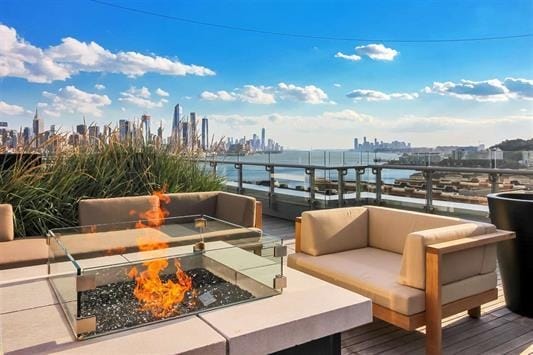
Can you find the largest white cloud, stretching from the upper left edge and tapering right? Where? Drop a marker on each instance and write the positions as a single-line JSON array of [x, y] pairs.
[[21, 59]]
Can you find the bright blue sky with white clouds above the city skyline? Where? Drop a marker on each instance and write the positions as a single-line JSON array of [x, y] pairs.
[[83, 58]]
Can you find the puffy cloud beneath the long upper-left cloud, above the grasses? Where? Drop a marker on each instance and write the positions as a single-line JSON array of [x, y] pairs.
[[73, 100]]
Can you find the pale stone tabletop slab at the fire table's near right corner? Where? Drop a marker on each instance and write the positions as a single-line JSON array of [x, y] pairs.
[[307, 309]]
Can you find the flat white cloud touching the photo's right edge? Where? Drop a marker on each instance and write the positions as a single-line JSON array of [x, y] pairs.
[[492, 90]]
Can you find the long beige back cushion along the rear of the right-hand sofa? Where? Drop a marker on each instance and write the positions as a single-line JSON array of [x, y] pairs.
[[388, 227]]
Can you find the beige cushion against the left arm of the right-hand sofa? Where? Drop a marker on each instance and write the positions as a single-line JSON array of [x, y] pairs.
[[334, 230]]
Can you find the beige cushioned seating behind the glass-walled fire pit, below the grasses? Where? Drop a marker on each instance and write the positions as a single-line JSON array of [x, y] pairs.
[[236, 209]]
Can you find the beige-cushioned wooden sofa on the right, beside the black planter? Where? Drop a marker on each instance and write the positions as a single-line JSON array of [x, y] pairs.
[[417, 268]]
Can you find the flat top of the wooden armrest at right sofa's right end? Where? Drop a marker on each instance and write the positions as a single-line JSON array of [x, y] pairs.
[[470, 242]]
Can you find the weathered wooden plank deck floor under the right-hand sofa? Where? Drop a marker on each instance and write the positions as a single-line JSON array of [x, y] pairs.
[[499, 331]]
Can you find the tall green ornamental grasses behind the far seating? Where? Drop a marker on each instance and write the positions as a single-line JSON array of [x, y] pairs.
[[45, 194]]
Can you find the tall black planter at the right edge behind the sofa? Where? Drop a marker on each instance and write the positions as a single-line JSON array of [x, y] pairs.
[[514, 212]]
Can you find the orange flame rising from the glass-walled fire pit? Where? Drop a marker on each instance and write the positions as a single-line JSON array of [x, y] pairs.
[[157, 296]]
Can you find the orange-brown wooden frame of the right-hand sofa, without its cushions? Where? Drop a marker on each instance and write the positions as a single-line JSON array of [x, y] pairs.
[[435, 312]]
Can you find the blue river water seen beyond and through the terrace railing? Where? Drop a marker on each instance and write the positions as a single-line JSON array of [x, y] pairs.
[[296, 177]]
